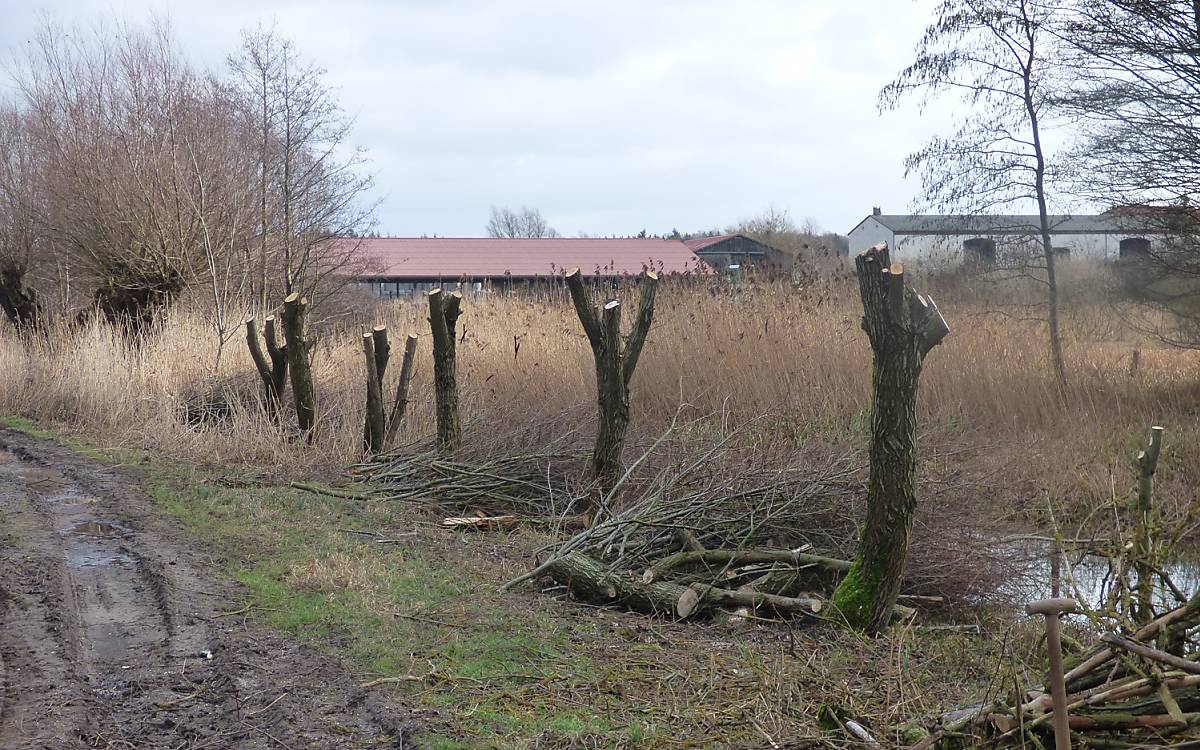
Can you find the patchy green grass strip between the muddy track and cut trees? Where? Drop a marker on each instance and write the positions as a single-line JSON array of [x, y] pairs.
[[525, 670]]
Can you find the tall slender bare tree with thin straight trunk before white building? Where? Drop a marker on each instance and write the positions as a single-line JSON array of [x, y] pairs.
[[1000, 57]]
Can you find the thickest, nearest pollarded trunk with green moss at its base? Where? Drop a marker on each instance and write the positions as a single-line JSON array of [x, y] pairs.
[[903, 328]]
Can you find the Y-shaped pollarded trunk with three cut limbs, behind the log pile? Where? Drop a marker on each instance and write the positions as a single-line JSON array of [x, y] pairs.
[[615, 368]]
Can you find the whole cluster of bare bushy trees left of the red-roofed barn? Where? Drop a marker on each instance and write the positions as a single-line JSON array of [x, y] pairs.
[[129, 176]]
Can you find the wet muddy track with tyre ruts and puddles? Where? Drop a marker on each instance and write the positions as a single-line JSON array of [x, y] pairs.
[[115, 632]]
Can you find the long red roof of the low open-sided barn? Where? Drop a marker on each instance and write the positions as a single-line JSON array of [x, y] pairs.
[[489, 257]]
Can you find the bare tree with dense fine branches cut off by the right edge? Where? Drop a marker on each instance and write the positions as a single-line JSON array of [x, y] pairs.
[[1138, 104]]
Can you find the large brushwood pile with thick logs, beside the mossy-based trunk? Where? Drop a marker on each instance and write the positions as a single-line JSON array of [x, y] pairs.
[[699, 536]]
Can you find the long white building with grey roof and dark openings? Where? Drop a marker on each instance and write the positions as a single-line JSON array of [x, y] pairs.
[[952, 239]]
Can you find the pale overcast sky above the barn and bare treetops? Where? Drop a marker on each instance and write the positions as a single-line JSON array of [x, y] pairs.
[[610, 117]]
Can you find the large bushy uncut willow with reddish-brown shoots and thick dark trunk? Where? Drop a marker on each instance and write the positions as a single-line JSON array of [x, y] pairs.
[[112, 191]]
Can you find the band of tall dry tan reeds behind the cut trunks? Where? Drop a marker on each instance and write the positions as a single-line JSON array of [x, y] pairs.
[[796, 355]]
